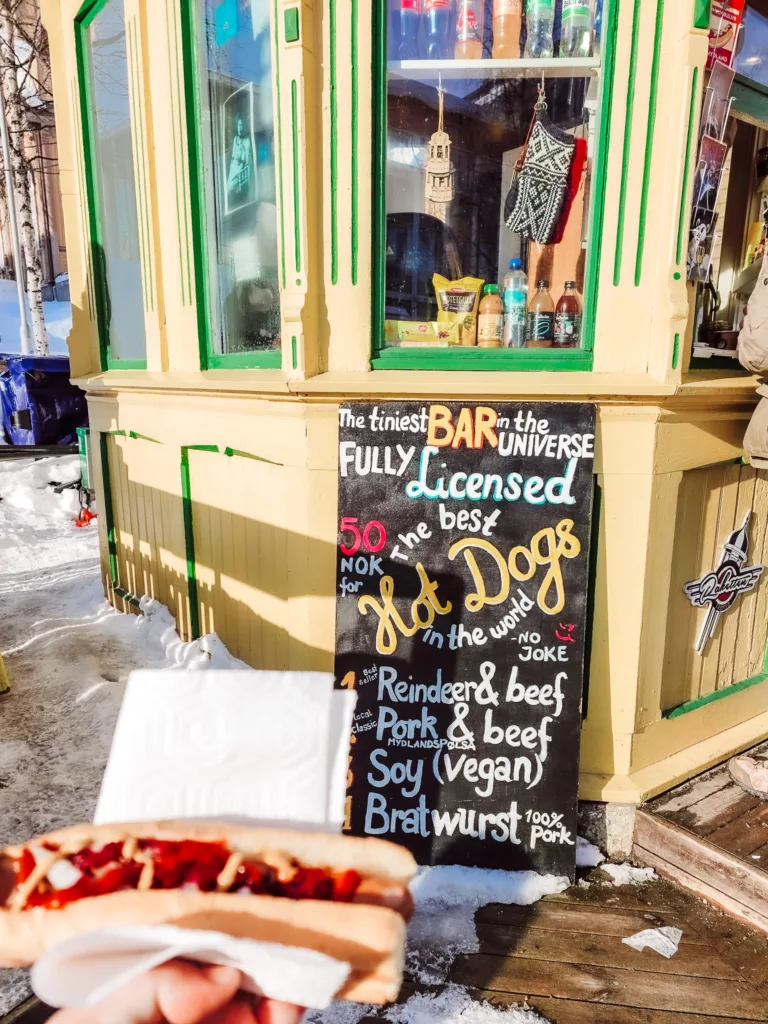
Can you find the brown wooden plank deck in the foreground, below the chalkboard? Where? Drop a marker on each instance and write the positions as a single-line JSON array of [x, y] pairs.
[[565, 958]]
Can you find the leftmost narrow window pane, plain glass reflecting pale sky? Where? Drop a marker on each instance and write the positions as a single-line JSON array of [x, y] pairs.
[[111, 105]]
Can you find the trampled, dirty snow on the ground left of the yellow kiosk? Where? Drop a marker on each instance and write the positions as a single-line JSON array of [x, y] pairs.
[[68, 655]]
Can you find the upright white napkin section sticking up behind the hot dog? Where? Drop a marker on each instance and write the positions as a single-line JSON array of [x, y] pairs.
[[270, 747]]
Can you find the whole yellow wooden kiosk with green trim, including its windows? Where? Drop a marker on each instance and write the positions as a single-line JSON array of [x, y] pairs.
[[243, 187]]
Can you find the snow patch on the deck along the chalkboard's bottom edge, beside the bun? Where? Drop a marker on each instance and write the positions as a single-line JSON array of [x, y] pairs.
[[447, 900]]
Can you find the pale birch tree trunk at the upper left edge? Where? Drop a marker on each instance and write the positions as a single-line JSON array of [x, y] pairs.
[[17, 118]]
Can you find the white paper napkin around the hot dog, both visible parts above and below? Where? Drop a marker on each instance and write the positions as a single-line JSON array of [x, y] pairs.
[[266, 747]]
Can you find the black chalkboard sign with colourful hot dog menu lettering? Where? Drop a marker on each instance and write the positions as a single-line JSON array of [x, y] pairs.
[[462, 581]]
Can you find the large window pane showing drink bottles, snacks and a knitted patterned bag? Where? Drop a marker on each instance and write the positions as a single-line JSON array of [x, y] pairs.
[[487, 195]]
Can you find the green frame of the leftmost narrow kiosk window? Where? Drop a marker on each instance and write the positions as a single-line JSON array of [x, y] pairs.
[[83, 20]]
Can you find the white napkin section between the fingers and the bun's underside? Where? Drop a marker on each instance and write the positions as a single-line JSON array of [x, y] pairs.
[[87, 969]]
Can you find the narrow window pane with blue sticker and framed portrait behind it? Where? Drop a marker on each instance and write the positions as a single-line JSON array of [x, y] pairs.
[[239, 142]]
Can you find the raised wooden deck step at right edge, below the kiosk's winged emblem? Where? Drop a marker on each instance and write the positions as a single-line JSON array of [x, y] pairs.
[[711, 837]]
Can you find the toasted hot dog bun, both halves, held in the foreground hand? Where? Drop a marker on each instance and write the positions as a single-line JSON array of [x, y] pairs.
[[370, 938]]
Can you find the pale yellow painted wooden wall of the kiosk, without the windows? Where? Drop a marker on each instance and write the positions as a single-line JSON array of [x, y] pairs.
[[265, 532]]
